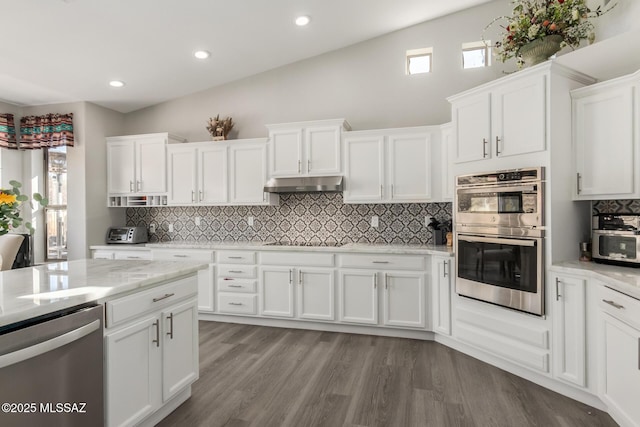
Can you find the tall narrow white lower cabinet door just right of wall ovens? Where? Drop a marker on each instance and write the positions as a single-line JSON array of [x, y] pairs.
[[569, 329]]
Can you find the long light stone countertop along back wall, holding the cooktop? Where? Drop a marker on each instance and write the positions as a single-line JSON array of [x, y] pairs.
[[441, 250]]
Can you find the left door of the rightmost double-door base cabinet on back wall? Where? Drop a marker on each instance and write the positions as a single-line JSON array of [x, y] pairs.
[[358, 298]]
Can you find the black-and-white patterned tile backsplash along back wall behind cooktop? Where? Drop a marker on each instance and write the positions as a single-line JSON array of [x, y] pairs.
[[309, 218]]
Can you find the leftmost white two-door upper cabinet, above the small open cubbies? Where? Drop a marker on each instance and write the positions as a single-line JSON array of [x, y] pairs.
[[136, 164]]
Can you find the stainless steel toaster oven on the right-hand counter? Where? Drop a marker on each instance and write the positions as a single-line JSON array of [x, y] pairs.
[[616, 239]]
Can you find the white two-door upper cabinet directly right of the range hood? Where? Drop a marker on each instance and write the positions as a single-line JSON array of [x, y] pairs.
[[389, 165]]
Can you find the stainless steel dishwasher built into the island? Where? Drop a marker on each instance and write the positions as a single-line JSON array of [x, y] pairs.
[[51, 370]]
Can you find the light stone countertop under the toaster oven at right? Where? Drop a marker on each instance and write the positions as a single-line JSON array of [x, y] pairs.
[[623, 279]]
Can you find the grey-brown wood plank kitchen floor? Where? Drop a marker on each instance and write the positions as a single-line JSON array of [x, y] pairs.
[[262, 376]]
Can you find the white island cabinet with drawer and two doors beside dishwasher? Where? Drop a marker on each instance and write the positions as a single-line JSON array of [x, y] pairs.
[[152, 355]]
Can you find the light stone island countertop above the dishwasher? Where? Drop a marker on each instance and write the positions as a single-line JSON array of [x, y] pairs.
[[26, 293]]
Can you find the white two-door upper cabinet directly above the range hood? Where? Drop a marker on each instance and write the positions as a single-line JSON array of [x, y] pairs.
[[306, 148]]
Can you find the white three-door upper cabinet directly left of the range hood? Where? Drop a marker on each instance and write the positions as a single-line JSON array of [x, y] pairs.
[[215, 173]]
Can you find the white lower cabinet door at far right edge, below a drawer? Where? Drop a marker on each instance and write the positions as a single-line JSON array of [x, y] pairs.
[[622, 364]]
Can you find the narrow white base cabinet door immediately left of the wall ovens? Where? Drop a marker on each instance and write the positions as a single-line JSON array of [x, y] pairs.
[[441, 294]]
